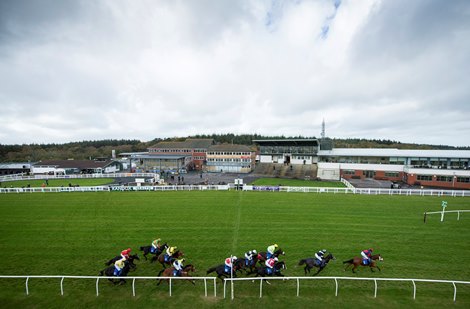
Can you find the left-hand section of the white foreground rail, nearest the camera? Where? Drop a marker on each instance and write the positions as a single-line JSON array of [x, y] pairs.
[[98, 278]]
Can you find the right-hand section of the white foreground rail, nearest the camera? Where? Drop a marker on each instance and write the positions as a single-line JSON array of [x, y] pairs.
[[337, 279]]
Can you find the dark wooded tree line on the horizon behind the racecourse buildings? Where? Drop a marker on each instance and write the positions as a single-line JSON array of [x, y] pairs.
[[103, 148]]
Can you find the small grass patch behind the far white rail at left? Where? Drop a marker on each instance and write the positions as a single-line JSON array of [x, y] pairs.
[[58, 182]]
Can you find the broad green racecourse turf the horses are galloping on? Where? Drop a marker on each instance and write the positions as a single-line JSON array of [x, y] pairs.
[[75, 233]]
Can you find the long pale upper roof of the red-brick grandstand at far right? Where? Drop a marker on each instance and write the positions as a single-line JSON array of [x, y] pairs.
[[393, 152]]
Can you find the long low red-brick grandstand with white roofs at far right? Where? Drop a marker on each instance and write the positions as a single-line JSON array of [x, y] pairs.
[[435, 168]]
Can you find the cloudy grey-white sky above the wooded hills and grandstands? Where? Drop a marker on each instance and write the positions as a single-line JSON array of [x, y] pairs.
[[88, 70]]
